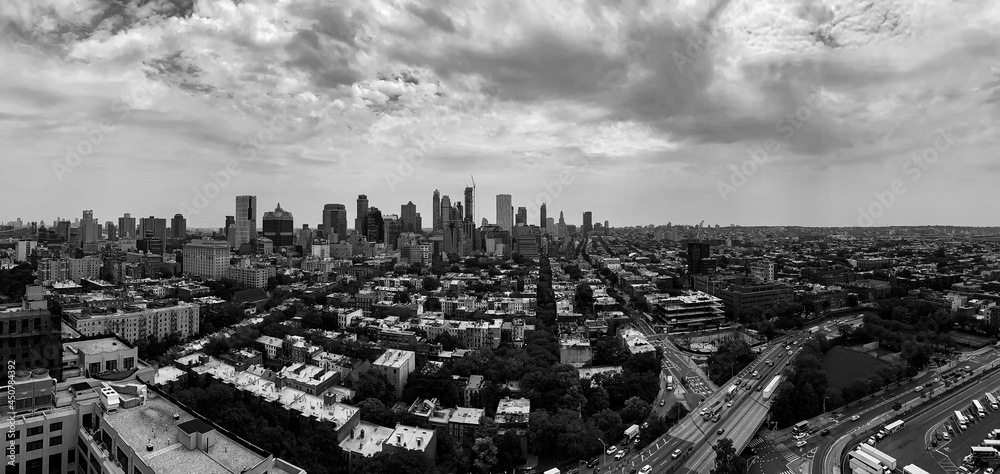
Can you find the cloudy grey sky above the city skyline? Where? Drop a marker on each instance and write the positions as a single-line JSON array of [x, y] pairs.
[[641, 111]]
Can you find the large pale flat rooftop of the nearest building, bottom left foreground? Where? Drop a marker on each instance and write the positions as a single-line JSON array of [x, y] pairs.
[[153, 423]]
